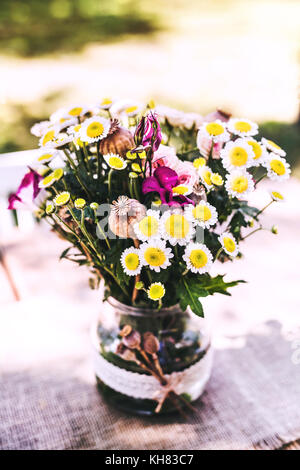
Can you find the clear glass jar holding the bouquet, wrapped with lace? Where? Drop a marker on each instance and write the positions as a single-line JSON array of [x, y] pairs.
[[184, 355]]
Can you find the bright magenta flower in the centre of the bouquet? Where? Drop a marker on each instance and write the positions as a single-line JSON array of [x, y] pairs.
[[162, 182]]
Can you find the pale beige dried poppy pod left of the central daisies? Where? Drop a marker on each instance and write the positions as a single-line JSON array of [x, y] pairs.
[[124, 214]]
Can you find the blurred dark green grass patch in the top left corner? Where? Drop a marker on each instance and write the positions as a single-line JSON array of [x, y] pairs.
[[36, 27]]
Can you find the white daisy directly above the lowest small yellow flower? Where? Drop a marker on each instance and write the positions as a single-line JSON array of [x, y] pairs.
[[156, 255]]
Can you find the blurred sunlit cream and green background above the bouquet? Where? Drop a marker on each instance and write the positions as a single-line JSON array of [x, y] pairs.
[[197, 55]]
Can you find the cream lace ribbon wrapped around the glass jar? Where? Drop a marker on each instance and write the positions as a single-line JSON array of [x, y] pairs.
[[191, 380]]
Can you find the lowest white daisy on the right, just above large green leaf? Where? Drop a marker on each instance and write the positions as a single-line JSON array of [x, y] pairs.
[[198, 258]]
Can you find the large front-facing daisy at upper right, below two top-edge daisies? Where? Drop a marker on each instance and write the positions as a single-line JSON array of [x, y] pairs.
[[237, 155]]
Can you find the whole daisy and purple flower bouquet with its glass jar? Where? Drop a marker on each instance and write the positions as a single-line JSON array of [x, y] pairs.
[[149, 198]]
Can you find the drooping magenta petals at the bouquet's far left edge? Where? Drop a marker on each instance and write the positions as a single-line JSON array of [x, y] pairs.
[[26, 192]]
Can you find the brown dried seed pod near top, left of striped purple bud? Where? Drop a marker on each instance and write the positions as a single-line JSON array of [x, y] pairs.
[[119, 140]]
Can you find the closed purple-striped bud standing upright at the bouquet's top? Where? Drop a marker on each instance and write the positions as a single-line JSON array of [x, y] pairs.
[[148, 132]]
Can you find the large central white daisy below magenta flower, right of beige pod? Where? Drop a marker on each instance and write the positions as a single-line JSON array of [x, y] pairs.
[[176, 226]]
